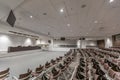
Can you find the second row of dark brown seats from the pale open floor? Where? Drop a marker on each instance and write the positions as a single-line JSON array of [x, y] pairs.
[[59, 69]]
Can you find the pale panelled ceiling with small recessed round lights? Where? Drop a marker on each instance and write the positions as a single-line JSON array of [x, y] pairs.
[[79, 17]]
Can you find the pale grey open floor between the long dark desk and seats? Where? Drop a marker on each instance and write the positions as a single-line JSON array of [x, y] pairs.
[[20, 64]]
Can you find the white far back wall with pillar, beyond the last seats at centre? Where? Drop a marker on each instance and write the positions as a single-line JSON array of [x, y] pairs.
[[85, 43]]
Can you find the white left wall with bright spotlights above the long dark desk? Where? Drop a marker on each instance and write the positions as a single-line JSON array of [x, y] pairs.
[[7, 39]]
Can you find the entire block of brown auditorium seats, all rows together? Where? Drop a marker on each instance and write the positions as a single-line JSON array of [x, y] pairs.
[[94, 64]]
